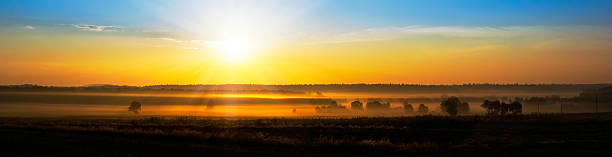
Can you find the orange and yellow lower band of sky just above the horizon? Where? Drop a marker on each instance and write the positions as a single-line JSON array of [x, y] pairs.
[[80, 58]]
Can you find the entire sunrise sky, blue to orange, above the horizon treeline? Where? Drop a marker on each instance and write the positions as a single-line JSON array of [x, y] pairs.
[[130, 42]]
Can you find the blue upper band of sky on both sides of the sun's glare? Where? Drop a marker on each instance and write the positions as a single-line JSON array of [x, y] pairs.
[[357, 13]]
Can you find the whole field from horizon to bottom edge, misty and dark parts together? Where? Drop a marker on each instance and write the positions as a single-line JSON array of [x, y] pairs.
[[284, 121]]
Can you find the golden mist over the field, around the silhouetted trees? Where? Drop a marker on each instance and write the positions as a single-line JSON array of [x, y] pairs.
[[282, 100]]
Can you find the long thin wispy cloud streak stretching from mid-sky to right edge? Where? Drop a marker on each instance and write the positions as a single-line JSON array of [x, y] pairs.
[[392, 33]]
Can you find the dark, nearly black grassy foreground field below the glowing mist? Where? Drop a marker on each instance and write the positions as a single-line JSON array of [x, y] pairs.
[[527, 135]]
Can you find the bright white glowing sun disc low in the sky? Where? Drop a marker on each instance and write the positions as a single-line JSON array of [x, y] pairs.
[[233, 49]]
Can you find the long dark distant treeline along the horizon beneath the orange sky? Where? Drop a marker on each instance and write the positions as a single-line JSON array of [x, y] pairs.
[[383, 88]]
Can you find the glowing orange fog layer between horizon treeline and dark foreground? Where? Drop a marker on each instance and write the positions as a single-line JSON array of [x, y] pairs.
[[36, 104]]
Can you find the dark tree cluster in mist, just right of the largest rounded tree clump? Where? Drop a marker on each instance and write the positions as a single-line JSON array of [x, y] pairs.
[[501, 108]]
